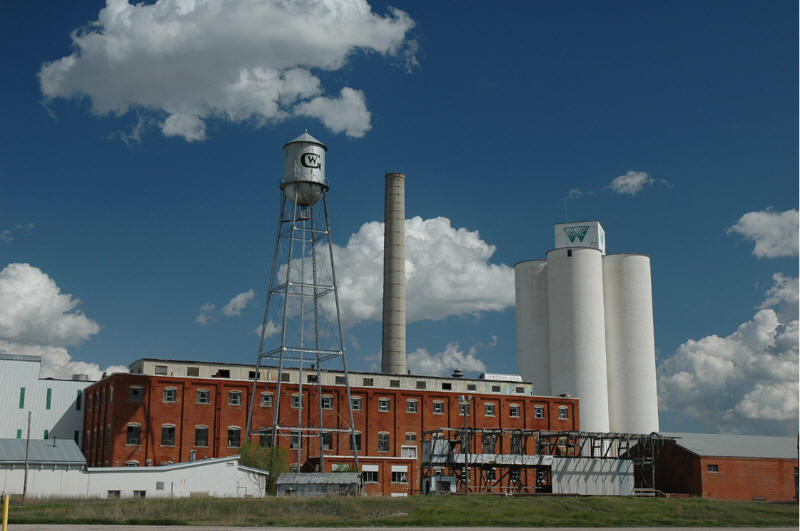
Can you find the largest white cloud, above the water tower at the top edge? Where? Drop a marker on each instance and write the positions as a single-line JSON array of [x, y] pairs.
[[252, 61]]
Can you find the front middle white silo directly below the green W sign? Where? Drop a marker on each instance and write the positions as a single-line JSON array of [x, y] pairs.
[[577, 331]]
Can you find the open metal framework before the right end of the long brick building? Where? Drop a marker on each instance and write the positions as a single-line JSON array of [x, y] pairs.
[[452, 450]]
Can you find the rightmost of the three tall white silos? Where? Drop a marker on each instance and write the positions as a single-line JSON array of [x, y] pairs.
[[630, 344]]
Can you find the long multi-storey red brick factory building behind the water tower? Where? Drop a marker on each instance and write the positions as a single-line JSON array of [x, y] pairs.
[[170, 411]]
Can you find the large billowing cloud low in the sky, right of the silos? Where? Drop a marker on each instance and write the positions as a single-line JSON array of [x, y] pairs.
[[746, 380]]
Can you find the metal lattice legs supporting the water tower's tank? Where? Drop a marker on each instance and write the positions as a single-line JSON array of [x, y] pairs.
[[303, 299]]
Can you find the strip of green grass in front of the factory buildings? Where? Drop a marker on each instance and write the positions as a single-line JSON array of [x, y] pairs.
[[478, 510]]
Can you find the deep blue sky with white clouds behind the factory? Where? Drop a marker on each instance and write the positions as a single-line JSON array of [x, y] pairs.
[[141, 153]]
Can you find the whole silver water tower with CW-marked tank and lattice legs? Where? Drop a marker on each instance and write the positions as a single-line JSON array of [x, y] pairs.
[[302, 327]]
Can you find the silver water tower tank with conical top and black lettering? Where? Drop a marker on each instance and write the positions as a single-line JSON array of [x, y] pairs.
[[304, 176]]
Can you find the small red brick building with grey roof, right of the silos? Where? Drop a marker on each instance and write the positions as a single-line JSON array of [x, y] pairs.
[[729, 467]]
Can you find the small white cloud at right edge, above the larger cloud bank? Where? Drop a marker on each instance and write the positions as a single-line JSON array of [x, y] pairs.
[[774, 233]]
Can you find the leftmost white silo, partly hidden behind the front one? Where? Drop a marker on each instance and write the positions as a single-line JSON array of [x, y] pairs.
[[533, 348]]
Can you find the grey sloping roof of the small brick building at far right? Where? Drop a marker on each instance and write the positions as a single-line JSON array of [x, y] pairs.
[[720, 445]]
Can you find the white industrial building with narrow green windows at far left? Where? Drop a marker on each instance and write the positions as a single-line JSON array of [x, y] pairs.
[[55, 405]]
